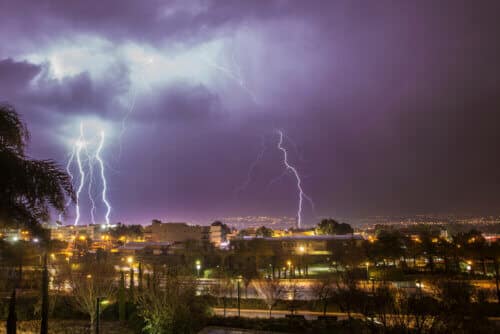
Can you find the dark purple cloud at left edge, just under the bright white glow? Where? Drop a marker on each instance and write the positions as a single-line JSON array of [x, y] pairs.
[[31, 86]]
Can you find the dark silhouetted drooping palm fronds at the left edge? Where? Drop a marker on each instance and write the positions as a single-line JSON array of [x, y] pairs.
[[29, 188]]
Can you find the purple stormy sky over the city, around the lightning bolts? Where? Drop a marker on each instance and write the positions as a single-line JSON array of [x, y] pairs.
[[390, 107]]
